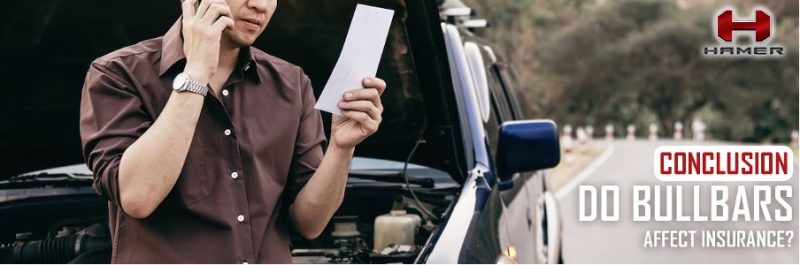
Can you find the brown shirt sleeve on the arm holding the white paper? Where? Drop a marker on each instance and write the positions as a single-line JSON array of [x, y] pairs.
[[308, 146]]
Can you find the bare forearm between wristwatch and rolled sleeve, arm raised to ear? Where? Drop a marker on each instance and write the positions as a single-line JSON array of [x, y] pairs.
[[150, 167]]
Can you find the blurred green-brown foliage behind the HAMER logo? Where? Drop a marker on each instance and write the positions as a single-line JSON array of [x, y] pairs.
[[639, 61]]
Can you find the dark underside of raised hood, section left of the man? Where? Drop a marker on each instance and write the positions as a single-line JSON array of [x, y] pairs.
[[45, 50]]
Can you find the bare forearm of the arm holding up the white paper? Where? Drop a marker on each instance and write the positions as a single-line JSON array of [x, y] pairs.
[[321, 196]]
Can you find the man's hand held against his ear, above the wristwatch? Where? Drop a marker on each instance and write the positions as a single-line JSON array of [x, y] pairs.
[[202, 31]]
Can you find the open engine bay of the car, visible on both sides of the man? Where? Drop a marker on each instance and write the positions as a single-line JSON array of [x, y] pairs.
[[69, 225]]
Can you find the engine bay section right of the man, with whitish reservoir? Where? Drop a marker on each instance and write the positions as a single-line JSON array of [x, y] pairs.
[[392, 228]]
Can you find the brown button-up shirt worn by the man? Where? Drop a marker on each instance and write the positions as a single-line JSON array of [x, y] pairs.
[[253, 150]]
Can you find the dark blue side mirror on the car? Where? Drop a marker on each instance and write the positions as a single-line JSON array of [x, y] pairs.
[[527, 145]]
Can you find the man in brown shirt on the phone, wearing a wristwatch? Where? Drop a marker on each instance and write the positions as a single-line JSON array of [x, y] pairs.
[[210, 150]]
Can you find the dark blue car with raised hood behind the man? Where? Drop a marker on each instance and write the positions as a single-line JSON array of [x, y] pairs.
[[455, 174]]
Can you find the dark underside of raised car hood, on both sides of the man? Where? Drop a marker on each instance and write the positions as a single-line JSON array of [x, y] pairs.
[[47, 47]]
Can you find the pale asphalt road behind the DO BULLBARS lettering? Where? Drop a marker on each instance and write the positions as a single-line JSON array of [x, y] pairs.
[[630, 163]]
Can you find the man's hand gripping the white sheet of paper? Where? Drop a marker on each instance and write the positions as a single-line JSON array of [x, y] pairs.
[[361, 114]]
